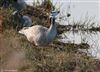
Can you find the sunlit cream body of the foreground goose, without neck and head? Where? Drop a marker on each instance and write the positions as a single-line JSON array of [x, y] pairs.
[[36, 34]]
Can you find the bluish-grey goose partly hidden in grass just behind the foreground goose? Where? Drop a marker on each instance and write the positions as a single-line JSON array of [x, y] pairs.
[[25, 21]]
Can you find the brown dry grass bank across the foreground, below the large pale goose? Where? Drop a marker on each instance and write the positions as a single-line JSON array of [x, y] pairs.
[[57, 58]]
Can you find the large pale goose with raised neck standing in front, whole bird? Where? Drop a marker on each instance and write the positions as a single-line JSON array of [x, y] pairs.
[[40, 35]]
